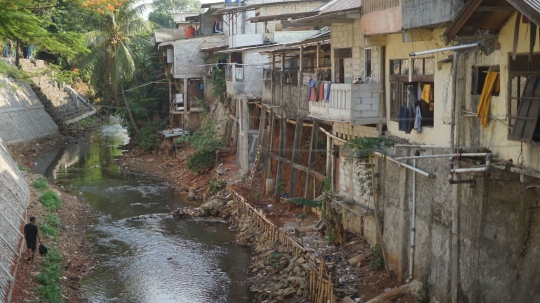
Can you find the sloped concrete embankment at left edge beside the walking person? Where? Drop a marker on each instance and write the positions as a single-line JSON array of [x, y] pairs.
[[14, 195]]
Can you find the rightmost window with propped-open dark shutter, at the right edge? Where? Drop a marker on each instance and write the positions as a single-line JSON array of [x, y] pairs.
[[524, 99]]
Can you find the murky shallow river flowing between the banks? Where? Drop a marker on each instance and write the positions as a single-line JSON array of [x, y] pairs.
[[155, 260]]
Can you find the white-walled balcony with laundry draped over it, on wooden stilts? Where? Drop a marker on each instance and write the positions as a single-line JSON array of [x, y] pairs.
[[358, 104]]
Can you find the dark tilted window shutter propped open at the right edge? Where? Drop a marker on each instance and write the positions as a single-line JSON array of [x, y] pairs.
[[529, 109]]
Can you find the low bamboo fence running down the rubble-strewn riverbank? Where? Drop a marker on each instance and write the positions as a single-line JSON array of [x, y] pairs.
[[321, 288]]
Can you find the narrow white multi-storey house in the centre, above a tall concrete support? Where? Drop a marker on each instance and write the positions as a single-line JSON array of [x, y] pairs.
[[252, 27]]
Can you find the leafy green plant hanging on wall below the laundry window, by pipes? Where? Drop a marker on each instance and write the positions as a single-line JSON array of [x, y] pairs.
[[363, 150]]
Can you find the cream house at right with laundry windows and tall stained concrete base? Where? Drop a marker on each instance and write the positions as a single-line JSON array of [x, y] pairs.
[[459, 195]]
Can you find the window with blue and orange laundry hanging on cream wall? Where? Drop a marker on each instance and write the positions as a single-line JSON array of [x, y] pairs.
[[422, 83]]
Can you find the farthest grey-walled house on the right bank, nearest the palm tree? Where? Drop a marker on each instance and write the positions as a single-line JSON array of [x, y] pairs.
[[186, 61]]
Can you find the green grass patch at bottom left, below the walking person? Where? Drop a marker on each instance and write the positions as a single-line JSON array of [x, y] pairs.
[[49, 278]]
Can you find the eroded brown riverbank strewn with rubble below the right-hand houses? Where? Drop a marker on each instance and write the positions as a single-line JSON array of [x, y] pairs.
[[294, 263]]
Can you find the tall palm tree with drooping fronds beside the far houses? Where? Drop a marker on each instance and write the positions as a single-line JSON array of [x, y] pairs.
[[112, 60]]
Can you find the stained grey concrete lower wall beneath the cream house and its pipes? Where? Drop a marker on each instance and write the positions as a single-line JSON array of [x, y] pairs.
[[494, 235]]
